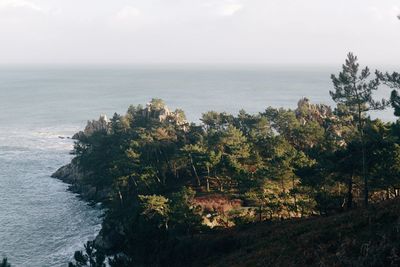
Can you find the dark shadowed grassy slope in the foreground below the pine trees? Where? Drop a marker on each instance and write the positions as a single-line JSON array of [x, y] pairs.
[[355, 238]]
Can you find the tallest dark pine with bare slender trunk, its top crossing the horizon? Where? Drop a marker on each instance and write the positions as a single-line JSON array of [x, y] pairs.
[[354, 90]]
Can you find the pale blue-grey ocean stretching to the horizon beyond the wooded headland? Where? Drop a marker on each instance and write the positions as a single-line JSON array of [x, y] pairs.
[[41, 223]]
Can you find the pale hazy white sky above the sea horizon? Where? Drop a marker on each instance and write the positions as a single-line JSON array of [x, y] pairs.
[[198, 31]]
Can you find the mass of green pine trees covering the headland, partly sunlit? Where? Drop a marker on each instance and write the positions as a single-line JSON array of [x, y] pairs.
[[169, 186]]
